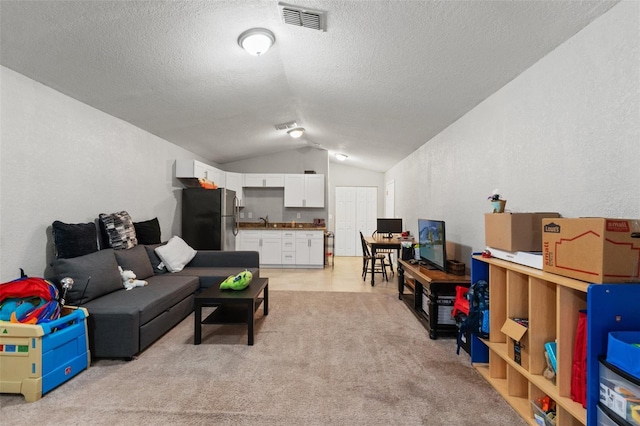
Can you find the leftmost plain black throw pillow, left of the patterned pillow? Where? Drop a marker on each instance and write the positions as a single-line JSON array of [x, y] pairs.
[[74, 239]]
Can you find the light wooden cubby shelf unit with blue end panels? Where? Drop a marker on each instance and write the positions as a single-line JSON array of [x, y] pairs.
[[551, 303]]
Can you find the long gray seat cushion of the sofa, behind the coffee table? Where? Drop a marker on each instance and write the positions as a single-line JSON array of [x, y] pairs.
[[163, 292]]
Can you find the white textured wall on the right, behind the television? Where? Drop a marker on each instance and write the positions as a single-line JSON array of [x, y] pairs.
[[563, 136]]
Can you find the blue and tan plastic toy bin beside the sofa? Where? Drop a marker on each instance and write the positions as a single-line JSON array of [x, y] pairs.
[[35, 359]]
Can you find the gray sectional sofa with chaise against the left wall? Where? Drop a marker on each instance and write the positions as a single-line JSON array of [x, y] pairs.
[[122, 323]]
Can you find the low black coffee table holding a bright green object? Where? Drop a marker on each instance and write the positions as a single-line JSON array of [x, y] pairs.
[[232, 306]]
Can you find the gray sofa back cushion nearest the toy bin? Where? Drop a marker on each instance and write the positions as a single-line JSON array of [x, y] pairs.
[[94, 275]]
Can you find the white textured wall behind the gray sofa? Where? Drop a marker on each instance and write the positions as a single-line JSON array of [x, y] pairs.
[[63, 160]]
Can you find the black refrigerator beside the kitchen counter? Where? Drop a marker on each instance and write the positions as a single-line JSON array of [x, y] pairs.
[[210, 218]]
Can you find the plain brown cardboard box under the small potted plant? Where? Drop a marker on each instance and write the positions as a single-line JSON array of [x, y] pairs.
[[515, 231]]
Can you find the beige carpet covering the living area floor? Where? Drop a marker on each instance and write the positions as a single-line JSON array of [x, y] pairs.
[[319, 358]]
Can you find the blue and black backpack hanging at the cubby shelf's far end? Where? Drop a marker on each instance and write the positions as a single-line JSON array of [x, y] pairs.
[[477, 322]]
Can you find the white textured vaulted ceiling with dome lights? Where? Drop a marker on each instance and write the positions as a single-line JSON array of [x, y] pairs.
[[384, 78]]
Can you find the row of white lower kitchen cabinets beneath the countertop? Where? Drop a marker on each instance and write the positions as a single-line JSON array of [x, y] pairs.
[[287, 249]]
